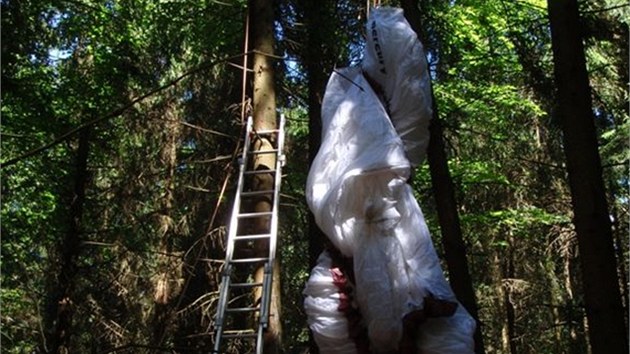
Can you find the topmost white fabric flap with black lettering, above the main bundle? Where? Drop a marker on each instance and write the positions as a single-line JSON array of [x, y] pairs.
[[395, 59]]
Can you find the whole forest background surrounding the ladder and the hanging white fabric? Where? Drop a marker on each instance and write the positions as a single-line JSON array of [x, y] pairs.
[[122, 122]]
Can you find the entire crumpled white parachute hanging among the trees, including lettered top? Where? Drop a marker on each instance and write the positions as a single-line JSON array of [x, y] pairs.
[[358, 194]]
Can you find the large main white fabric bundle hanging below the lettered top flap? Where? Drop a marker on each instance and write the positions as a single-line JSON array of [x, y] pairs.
[[357, 191]]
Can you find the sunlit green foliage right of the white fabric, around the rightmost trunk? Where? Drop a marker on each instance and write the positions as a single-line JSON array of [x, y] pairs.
[[492, 70]]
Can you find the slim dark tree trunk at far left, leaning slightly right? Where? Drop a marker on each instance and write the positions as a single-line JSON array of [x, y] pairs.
[[62, 305]]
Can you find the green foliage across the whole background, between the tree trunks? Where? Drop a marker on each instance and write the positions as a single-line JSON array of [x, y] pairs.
[[155, 198]]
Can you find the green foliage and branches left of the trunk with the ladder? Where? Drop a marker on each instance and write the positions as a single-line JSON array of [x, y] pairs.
[[73, 62]]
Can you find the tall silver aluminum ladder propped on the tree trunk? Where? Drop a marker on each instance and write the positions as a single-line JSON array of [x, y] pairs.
[[224, 326]]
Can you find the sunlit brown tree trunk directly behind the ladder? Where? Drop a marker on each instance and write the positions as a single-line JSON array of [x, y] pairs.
[[264, 113]]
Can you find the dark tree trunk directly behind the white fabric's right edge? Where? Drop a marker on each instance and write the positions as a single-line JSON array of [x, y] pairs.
[[452, 240]]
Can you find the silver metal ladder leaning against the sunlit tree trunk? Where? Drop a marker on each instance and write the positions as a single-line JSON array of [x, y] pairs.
[[242, 257]]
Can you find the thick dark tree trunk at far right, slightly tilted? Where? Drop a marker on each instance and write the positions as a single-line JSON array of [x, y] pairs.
[[604, 311]]
